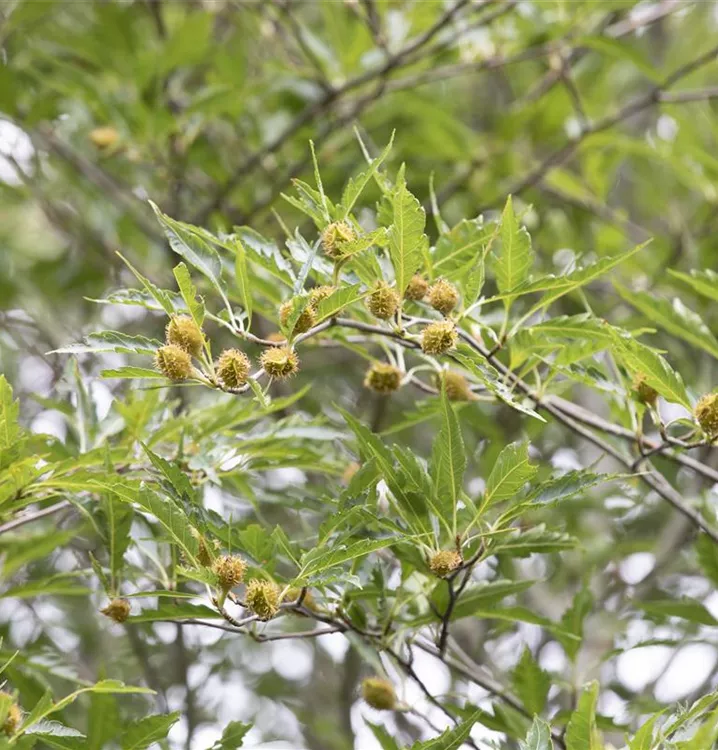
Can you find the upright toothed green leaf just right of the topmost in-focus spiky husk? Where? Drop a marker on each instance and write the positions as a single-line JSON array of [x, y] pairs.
[[406, 235]]
